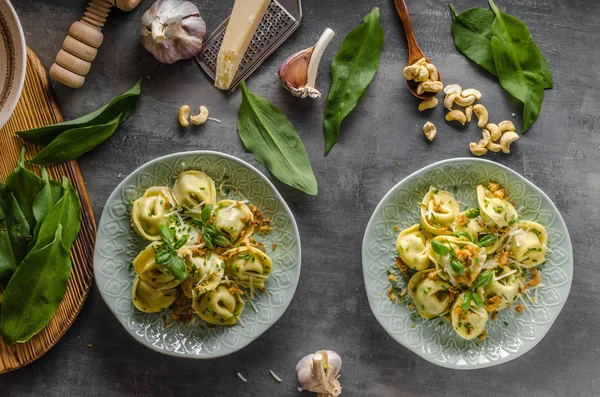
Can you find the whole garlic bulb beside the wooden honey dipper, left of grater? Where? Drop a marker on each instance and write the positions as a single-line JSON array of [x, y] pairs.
[[172, 30]]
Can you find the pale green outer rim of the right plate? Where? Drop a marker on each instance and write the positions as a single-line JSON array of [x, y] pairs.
[[373, 302]]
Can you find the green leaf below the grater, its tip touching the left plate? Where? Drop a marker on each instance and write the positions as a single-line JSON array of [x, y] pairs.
[[274, 142]]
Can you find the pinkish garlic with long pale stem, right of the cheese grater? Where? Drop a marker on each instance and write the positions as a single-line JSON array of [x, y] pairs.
[[298, 73]]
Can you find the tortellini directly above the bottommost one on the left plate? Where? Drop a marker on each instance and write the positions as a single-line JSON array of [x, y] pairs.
[[205, 275]]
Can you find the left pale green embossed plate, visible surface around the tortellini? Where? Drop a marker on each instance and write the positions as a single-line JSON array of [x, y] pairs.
[[117, 245]]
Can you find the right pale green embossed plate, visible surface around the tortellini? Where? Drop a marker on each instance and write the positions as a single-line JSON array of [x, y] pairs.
[[511, 335]]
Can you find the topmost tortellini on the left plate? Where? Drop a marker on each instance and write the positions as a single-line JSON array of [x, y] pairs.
[[193, 188]]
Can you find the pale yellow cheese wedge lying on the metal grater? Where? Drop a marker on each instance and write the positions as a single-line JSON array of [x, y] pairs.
[[243, 22]]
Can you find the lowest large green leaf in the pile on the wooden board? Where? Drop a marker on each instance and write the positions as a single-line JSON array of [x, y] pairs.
[[35, 290]]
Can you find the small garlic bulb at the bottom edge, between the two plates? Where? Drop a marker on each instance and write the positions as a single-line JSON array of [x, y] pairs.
[[319, 373]]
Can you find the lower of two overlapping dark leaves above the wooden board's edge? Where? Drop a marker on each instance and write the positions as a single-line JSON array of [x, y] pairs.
[[74, 142]]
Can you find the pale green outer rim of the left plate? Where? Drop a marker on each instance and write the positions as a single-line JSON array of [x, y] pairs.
[[157, 160]]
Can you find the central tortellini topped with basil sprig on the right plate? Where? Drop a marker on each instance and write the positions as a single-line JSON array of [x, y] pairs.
[[457, 260]]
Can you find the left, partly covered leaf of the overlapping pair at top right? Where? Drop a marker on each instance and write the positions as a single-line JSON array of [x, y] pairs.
[[471, 30]]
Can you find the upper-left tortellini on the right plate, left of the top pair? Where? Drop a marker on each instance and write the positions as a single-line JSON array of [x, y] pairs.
[[438, 211]]
